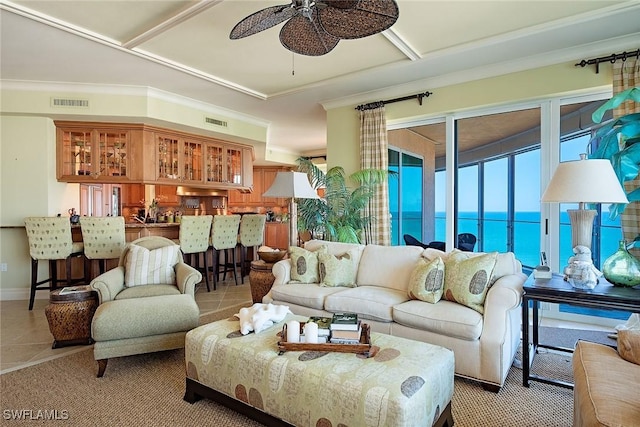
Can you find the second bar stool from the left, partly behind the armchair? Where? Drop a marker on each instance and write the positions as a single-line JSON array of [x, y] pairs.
[[103, 238]]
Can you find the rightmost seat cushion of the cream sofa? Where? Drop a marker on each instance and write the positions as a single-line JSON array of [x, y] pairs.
[[444, 318]]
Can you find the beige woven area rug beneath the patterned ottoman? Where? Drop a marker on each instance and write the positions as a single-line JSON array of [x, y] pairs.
[[147, 390]]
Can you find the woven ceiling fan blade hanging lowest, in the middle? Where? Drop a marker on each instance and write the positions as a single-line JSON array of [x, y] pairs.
[[306, 36]]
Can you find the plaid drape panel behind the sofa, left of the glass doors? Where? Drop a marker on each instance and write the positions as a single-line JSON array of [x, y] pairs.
[[373, 155]]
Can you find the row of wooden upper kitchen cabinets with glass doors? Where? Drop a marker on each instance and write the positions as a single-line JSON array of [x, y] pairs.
[[119, 152]]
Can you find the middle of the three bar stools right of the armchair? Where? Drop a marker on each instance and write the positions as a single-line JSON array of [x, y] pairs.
[[224, 237]]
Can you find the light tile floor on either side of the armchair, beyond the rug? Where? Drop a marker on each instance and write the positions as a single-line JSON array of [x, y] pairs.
[[25, 338]]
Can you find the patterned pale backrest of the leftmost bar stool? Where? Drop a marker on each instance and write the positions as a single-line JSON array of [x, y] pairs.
[[50, 238]]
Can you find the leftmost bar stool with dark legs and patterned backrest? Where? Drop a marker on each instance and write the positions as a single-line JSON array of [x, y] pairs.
[[50, 240]]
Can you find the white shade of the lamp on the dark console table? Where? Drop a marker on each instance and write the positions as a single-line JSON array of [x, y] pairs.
[[585, 181]]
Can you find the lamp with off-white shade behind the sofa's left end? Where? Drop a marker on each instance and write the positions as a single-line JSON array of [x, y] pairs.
[[292, 185]]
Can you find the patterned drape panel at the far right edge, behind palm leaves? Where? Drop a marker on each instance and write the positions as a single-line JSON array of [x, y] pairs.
[[626, 75]]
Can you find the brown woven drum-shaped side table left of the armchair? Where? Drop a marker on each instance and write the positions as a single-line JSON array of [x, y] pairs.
[[69, 315]]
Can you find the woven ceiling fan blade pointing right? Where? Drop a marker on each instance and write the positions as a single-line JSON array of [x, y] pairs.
[[368, 17]]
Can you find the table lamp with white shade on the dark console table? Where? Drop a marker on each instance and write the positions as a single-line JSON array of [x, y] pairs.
[[584, 181]]
